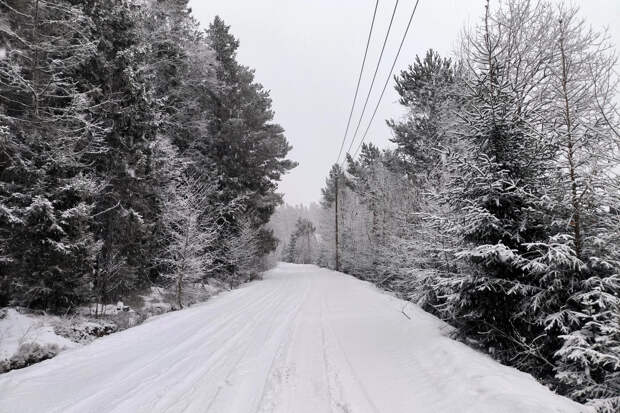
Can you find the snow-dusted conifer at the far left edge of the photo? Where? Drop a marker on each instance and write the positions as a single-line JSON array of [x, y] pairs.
[[50, 130]]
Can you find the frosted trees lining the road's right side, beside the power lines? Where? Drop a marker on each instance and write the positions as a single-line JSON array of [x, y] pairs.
[[497, 209]]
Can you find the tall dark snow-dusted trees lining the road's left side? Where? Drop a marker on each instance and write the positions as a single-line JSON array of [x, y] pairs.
[[134, 148]]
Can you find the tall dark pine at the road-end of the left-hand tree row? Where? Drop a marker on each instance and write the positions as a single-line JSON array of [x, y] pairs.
[[247, 148]]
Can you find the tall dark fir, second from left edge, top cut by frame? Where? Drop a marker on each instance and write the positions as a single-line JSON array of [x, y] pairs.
[[128, 210]]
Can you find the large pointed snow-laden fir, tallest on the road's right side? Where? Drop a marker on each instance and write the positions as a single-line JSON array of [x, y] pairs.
[[494, 192]]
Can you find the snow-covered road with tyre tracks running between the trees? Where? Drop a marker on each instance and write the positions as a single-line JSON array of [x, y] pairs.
[[302, 340]]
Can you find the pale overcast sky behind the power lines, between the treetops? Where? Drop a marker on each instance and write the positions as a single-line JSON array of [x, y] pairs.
[[308, 53]]
